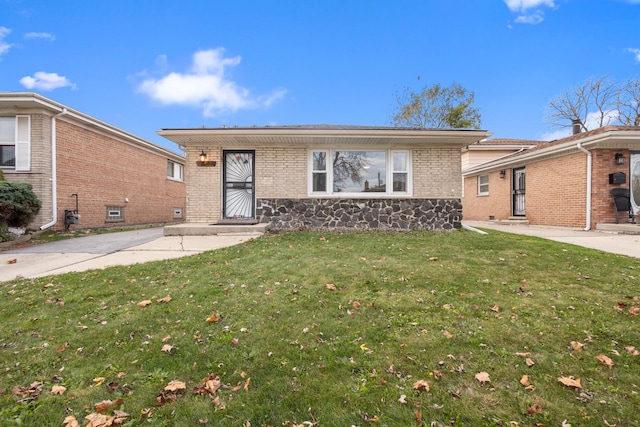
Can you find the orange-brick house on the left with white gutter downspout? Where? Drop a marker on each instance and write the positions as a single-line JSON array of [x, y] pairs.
[[117, 178]]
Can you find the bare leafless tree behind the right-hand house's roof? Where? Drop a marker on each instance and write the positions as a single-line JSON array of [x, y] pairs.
[[596, 103]]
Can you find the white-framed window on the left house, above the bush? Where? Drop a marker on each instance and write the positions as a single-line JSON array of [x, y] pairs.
[[15, 150]]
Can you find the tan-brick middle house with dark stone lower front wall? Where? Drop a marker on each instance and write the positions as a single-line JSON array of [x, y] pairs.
[[324, 176]]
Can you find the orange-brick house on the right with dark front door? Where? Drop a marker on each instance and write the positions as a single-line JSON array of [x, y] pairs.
[[566, 182]]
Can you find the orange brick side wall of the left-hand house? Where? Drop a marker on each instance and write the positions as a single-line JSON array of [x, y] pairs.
[[105, 171]]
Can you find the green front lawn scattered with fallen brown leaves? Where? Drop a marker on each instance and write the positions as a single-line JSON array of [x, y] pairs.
[[440, 307]]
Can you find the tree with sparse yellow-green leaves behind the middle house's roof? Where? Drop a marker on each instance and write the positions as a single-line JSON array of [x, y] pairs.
[[436, 107]]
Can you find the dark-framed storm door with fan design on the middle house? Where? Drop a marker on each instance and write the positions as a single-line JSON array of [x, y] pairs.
[[239, 189]]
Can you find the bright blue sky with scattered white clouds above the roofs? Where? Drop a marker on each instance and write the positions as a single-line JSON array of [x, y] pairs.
[[144, 65]]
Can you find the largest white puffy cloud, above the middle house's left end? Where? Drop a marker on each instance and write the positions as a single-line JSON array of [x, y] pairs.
[[205, 85]]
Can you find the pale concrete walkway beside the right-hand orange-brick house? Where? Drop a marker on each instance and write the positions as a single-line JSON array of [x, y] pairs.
[[622, 244]]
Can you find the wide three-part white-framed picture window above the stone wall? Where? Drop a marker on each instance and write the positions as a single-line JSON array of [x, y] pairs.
[[358, 172]]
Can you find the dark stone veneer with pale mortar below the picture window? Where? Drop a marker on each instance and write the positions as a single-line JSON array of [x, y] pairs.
[[387, 214]]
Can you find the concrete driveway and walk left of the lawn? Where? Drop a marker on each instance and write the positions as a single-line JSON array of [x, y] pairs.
[[106, 250]]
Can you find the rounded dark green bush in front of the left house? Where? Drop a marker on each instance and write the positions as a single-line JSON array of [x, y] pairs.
[[18, 204]]
